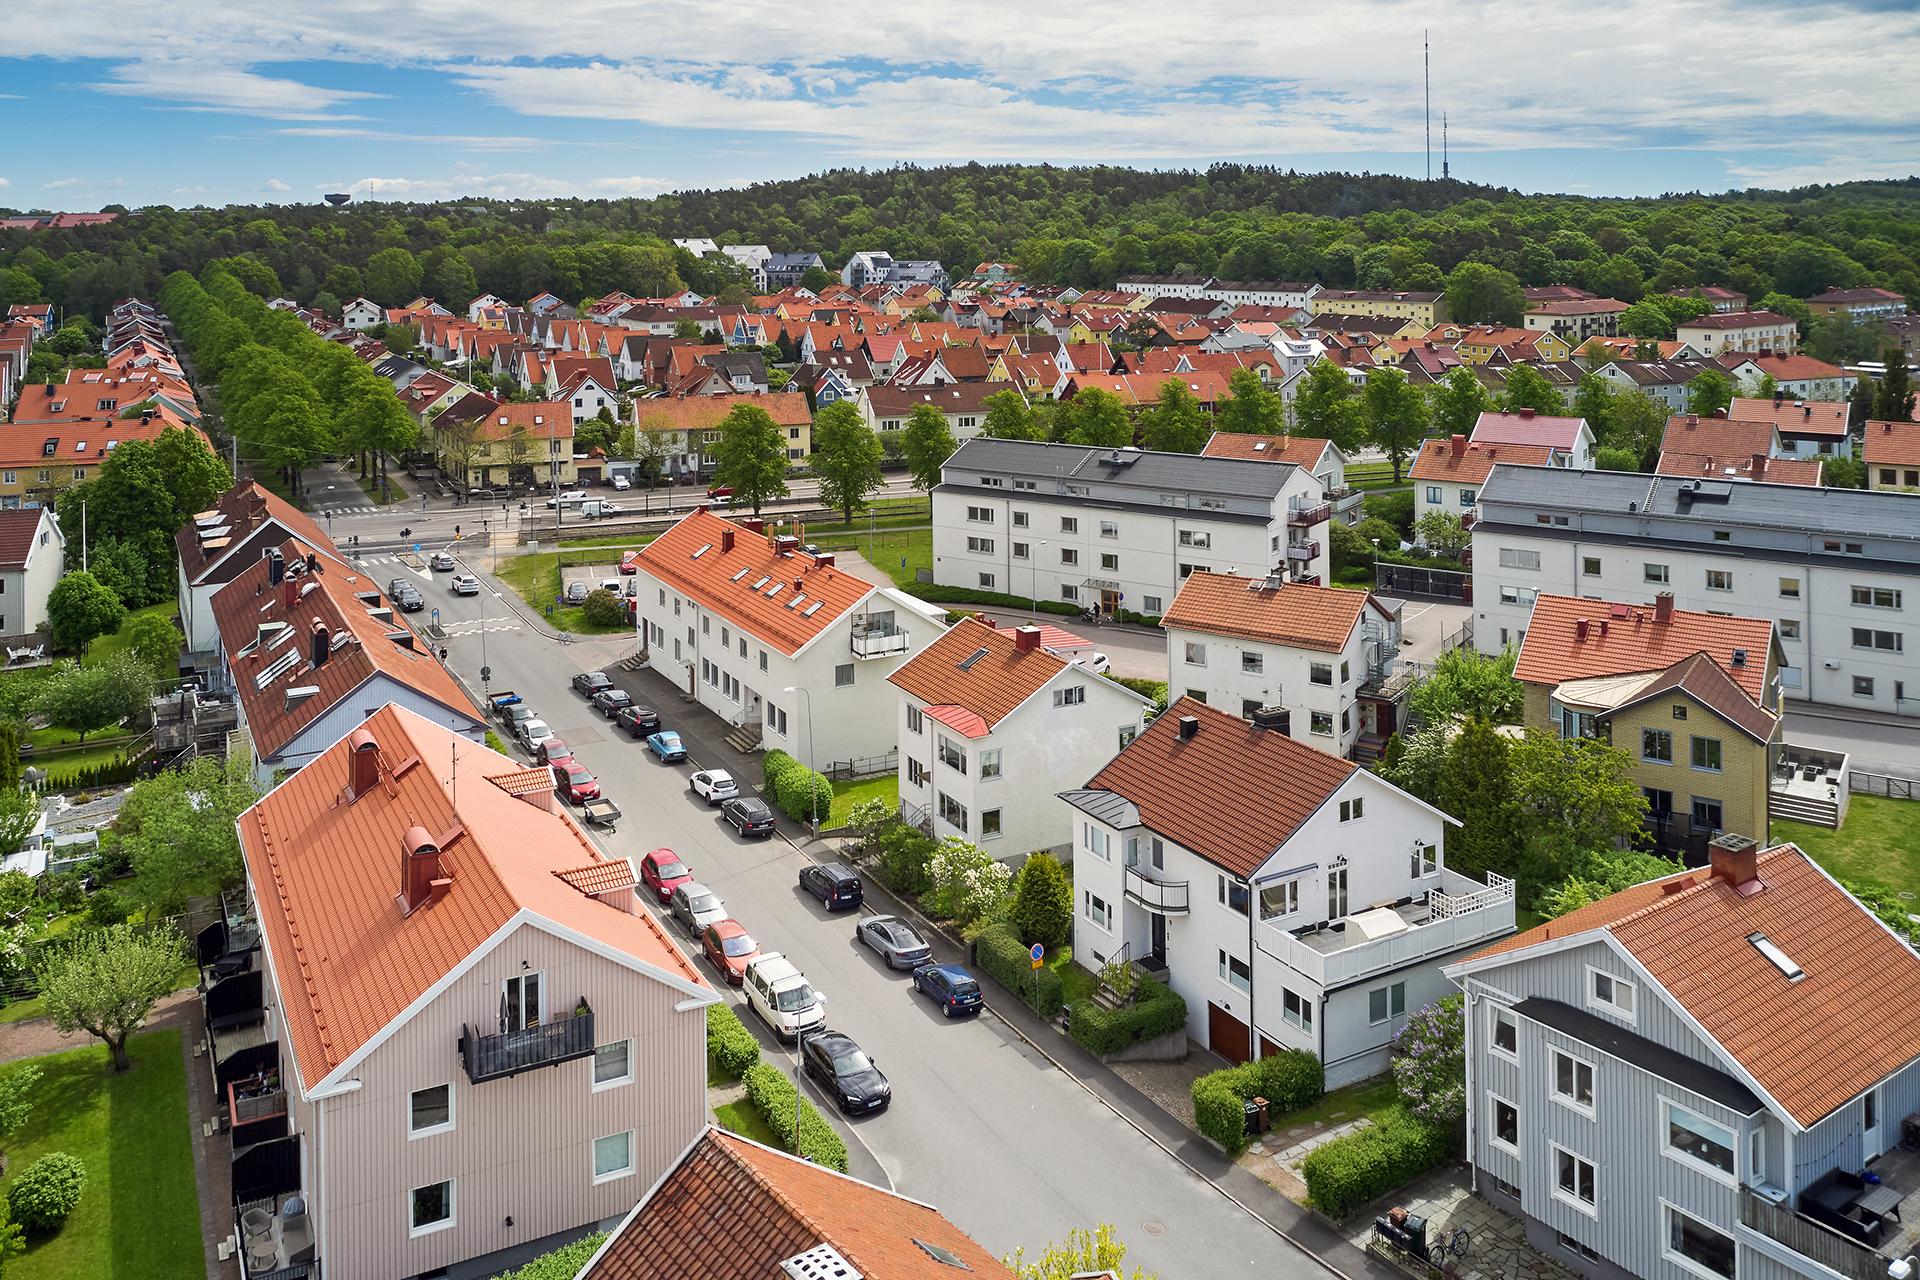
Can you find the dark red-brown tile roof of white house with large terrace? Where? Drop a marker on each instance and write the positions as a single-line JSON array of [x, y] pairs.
[[1195, 792]]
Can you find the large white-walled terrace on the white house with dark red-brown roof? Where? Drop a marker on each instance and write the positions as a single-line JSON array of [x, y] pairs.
[[1397, 934]]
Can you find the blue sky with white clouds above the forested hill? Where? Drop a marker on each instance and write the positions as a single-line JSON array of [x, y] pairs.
[[193, 103]]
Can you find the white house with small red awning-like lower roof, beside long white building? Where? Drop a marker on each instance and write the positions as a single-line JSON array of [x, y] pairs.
[[994, 726]]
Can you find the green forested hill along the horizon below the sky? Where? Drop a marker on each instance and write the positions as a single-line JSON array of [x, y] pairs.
[[1080, 227]]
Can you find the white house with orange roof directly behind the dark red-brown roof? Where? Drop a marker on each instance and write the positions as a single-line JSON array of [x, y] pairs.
[[1312, 653]]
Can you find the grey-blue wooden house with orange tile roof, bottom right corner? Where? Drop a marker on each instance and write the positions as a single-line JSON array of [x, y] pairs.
[[1696, 1079]]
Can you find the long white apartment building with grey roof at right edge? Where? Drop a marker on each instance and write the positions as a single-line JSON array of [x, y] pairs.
[[1831, 567]]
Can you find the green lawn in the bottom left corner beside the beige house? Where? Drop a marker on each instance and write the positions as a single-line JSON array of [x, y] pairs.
[[139, 1218]]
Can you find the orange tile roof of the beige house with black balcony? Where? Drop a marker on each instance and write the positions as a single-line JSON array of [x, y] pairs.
[[325, 872]]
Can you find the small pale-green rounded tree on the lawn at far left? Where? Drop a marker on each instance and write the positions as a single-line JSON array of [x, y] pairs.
[[107, 982]]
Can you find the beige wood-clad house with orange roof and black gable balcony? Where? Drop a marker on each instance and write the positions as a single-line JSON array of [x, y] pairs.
[[512, 1055]]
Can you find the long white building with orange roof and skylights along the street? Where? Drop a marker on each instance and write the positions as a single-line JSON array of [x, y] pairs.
[[784, 646]]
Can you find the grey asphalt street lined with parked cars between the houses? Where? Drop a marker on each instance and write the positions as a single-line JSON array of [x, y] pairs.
[[982, 1126]]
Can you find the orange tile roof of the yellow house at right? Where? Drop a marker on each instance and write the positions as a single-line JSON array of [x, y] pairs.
[[1635, 642]]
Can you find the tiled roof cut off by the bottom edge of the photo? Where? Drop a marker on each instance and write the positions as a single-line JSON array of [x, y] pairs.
[[734, 1210]]
